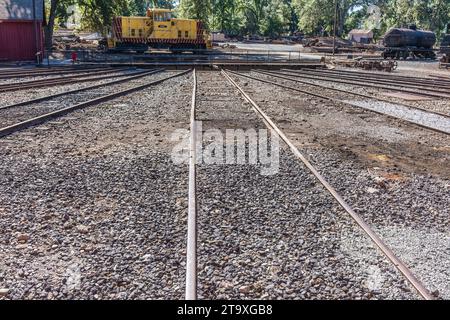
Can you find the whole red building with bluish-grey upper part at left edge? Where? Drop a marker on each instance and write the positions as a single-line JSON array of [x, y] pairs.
[[21, 30]]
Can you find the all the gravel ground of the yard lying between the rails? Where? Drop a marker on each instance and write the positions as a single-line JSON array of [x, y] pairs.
[[94, 207]]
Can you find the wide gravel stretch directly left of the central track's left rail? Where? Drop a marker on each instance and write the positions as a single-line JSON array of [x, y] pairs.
[[93, 207]]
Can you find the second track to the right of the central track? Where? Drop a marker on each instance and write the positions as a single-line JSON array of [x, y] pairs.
[[393, 83]]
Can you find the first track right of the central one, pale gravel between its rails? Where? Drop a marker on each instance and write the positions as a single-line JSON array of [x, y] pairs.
[[427, 119]]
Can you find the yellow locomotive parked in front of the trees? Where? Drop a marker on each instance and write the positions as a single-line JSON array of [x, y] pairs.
[[158, 30]]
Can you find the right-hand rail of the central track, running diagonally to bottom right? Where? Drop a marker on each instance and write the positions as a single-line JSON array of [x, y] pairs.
[[361, 223]]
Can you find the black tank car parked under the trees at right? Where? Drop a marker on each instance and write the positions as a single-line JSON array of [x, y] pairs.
[[402, 43]]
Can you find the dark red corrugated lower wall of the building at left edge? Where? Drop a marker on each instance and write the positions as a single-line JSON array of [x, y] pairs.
[[18, 40]]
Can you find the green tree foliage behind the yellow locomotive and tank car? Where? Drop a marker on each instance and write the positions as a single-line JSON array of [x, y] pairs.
[[270, 17]]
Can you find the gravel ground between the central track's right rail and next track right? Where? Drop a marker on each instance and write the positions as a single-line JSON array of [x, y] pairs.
[[406, 204]]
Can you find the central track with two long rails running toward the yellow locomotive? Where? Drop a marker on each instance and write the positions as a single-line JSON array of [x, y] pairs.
[[192, 279]]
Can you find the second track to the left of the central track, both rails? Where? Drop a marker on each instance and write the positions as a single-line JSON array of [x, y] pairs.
[[55, 81]]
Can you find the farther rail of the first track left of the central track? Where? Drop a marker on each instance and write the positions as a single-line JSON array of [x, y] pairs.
[[132, 76]]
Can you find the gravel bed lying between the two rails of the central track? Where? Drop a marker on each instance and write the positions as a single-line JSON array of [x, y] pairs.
[[278, 236]]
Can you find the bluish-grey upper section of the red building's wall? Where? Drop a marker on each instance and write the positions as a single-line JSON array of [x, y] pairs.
[[20, 9]]
